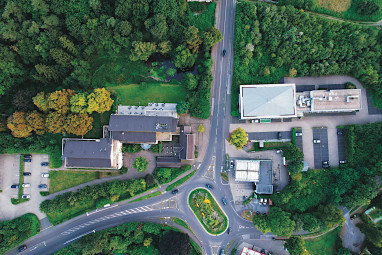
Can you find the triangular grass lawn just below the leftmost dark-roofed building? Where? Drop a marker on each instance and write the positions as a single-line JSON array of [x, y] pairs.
[[60, 180]]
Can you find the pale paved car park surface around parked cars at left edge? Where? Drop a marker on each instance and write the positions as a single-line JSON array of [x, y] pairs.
[[9, 171]]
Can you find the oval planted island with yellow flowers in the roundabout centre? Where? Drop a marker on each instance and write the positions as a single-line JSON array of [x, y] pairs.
[[208, 211]]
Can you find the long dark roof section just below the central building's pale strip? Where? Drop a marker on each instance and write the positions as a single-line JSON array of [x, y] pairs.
[[139, 123]]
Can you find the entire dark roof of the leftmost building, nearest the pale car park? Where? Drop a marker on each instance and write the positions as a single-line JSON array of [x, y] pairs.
[[88, 153]]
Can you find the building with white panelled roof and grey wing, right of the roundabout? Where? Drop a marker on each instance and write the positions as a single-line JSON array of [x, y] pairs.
[[257, 171]]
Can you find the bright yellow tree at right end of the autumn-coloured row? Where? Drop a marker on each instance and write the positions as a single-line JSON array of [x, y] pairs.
[[99, 101]]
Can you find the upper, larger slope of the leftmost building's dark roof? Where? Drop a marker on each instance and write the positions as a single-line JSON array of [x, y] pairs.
[[96, 149]]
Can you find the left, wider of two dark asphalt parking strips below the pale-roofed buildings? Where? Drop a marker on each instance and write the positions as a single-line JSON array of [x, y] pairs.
[[321, 150]]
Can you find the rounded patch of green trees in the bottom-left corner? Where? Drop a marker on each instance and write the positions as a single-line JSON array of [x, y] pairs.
[[14, 232]]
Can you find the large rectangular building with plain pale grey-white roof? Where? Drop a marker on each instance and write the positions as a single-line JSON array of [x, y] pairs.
[[267, 101]]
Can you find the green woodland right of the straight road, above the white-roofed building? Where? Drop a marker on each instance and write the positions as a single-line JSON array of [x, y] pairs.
[[272, 42]]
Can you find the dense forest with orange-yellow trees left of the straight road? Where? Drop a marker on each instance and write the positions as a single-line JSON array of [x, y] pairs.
[[57, 57]]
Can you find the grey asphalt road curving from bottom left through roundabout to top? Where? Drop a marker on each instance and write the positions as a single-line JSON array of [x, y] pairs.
[[57, 237]]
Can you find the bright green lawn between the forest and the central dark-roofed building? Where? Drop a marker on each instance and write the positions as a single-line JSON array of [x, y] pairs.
[[134, 94]]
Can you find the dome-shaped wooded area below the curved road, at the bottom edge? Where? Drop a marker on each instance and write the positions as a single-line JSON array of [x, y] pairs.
[[134, 238]]
